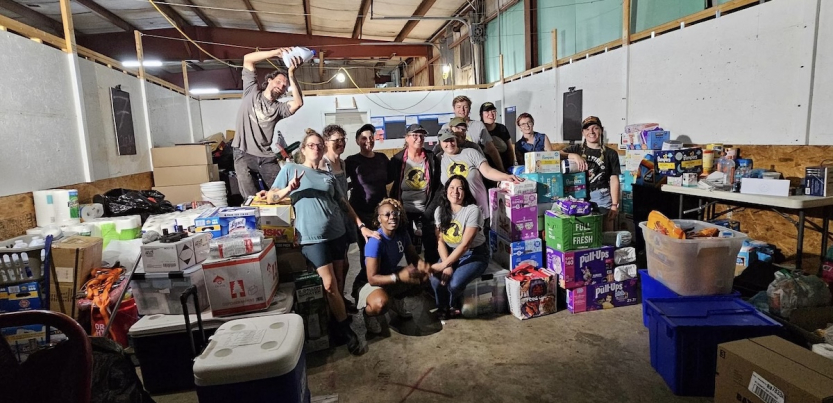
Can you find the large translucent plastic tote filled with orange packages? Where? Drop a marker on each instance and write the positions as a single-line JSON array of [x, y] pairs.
[[704, 266]]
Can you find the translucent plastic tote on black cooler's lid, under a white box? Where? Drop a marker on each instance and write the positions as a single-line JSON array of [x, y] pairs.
[[158, 293]]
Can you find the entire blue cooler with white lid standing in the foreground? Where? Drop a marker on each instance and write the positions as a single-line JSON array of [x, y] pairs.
[[254, 360]]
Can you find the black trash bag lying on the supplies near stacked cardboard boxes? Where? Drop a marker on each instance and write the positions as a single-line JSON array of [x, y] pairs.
[[122, 202]]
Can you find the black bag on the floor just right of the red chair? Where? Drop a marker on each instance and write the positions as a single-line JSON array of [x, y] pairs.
[[114, 376]]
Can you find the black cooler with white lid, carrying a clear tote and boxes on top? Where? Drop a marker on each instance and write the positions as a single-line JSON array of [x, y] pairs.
[[164, 352]]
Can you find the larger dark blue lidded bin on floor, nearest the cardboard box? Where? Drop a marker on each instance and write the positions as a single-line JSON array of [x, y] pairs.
[[685, 333]]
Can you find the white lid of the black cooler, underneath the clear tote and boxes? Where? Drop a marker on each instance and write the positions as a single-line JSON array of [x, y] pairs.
[[153, 325]]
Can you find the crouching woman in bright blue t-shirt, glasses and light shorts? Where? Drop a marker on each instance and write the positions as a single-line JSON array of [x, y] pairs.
[[384, 283]]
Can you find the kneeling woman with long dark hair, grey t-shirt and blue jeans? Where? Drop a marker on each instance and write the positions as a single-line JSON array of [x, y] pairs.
[[464, 254]]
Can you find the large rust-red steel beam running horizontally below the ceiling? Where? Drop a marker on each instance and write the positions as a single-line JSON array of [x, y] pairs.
[[120, 45]]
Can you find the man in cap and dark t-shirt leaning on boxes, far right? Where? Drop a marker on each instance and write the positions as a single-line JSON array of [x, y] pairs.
[[602, 168]]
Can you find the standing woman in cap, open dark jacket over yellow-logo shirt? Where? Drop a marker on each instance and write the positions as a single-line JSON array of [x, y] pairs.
[[415, 176]]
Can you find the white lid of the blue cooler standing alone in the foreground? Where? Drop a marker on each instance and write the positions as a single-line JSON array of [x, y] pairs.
[[251, 349]]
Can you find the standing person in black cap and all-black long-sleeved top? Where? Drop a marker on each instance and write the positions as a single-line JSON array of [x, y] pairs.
[[368, 173]]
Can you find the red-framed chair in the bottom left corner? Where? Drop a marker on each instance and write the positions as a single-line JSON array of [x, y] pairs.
[[61, 373]]
